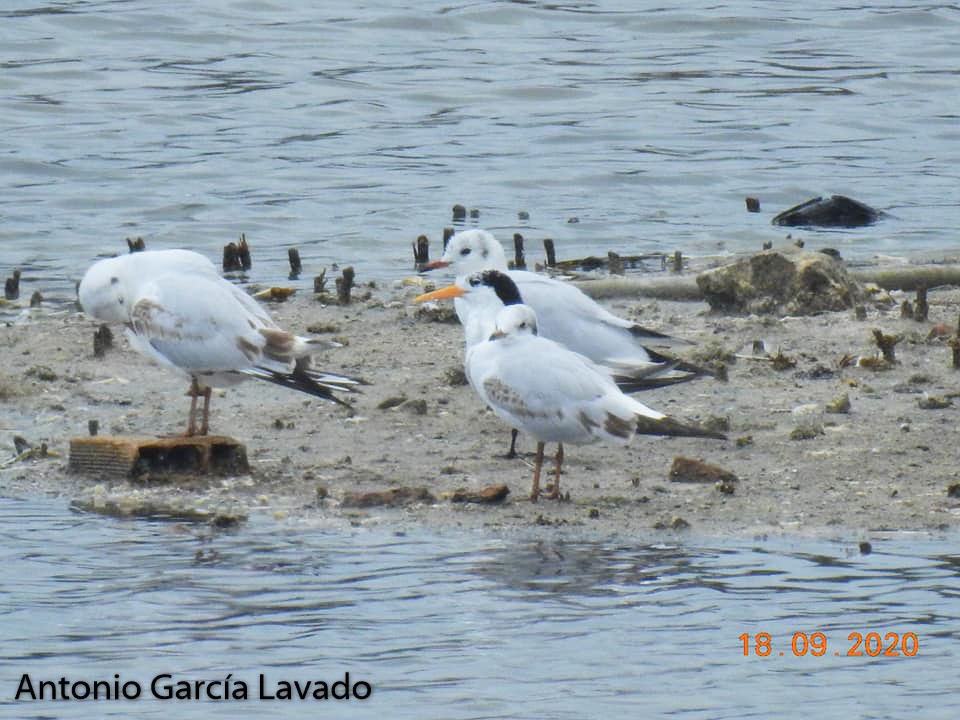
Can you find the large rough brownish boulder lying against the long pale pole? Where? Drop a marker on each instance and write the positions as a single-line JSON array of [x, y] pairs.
[[773, 281]]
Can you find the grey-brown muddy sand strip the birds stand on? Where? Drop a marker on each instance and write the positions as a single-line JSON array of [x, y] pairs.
[[886, 464]]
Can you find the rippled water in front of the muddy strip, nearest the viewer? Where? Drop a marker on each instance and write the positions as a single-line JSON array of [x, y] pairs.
[[464, 626]]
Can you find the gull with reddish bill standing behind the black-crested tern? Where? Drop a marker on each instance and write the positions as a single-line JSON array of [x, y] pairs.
[[566, 315]]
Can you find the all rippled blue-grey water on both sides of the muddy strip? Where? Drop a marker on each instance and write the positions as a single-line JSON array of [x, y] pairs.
[[346, 130]]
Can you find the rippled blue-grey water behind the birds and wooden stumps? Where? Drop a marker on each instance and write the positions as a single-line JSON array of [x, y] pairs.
[[348, 129]]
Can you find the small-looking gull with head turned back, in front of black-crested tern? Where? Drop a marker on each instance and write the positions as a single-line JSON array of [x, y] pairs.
[[556, 395]]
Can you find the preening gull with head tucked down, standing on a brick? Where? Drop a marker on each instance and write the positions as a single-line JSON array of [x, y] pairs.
[[181, 314]]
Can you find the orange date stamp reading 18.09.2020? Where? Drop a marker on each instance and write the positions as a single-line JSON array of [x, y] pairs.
[[870, 644]]
